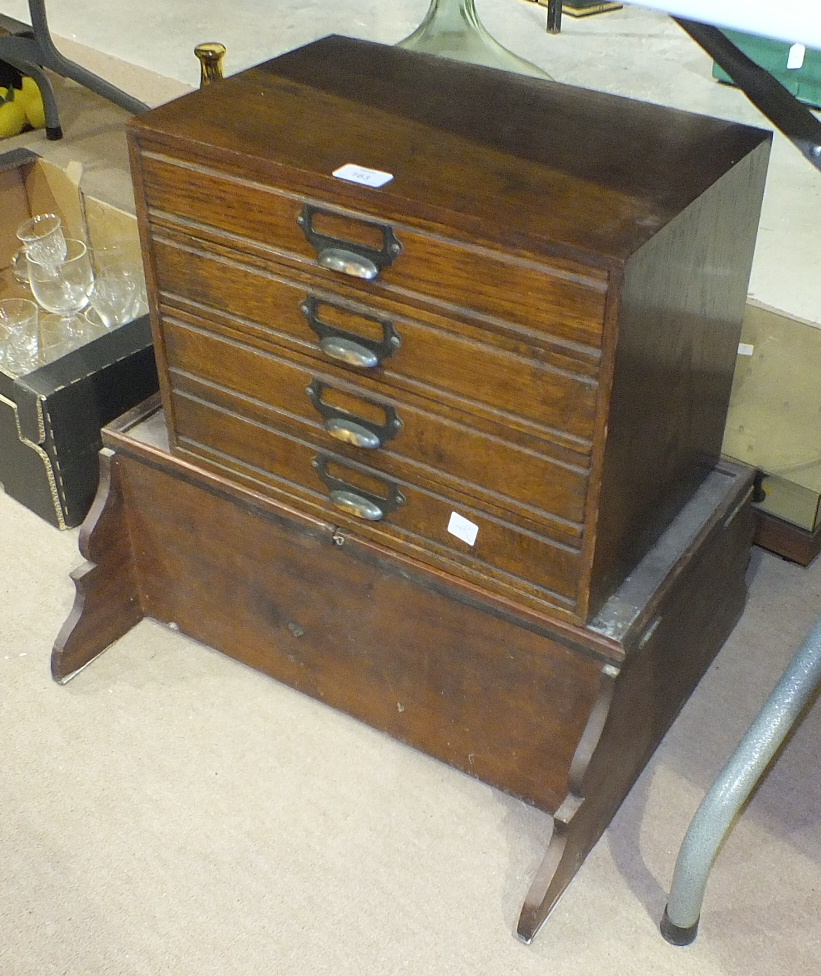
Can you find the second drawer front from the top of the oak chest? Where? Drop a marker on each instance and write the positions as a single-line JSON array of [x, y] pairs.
[[514, 385]]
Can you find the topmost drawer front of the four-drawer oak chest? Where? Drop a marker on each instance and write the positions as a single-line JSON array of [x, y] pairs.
[[567, 302]]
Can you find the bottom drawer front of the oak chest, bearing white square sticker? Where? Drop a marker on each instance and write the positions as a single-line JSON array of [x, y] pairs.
[[413, 518]]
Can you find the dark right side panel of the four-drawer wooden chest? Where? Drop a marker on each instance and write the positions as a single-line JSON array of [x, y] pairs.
[[680, 310]]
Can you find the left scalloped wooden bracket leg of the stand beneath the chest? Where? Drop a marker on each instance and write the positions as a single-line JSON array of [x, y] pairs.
[[106, 604]]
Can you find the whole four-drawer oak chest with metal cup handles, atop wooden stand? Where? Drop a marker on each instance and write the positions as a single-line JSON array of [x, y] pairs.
[[510, 361]]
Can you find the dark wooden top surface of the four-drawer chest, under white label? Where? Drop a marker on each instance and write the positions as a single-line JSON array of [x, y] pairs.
[[504, 159]]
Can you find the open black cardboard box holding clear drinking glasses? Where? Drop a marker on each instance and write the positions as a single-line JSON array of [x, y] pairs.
[[50, 418]]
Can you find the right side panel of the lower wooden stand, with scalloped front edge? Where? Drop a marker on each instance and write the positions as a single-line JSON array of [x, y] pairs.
[[637, 705]]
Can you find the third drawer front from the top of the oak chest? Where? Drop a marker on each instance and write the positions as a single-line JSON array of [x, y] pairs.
[[394, 436]]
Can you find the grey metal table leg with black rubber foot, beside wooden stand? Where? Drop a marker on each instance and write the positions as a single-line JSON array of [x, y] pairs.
[[713, 819]]
